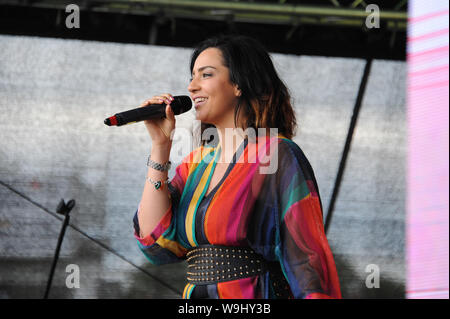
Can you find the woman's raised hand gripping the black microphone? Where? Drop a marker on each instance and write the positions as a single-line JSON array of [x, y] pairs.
[[160, 130]]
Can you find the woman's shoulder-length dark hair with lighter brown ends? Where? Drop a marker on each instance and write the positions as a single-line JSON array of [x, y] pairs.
[[265, 101]]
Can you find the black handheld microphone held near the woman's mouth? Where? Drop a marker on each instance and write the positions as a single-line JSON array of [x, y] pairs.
[[180, 104]]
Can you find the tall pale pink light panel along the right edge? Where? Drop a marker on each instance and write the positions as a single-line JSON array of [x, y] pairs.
[[428, 150]]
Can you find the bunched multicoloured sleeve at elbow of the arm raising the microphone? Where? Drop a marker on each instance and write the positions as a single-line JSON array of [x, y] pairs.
[[161, 245]]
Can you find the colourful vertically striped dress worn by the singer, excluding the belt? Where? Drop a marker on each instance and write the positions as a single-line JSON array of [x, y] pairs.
[[268, 200]]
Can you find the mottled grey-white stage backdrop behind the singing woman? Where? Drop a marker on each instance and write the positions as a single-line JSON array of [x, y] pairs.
[[54, 96]]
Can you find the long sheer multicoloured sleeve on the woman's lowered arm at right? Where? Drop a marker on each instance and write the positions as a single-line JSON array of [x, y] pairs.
[[302, 247]]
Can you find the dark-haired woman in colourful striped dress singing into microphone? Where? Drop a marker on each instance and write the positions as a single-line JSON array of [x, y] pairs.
[[249, 224]]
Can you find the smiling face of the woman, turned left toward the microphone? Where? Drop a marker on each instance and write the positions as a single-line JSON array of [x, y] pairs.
[[215, 97]]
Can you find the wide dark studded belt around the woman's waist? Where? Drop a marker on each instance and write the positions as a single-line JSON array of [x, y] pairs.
[[212, 264]]
